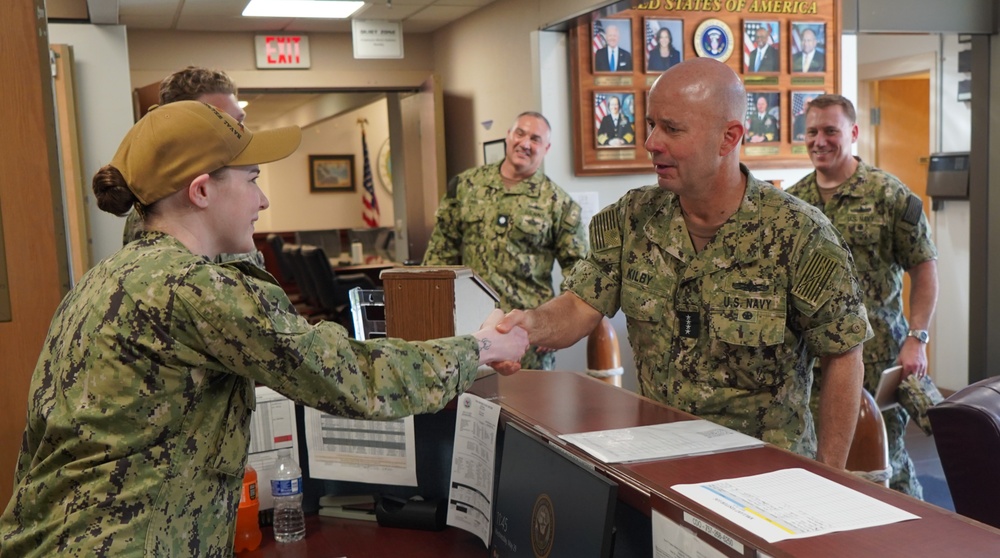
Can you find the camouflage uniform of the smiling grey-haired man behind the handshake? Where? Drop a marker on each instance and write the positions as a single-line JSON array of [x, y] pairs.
[[509, 237]]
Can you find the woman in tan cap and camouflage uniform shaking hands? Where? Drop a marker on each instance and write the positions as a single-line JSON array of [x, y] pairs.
[[139, 411]]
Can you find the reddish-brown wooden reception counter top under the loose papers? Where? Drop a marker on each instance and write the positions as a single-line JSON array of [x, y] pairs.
[[555, 403]]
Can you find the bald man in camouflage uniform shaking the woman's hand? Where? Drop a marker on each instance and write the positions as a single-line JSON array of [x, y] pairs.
[[728, 284]]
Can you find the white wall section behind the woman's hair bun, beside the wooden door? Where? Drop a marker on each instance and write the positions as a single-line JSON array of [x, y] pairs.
[[104, 106]]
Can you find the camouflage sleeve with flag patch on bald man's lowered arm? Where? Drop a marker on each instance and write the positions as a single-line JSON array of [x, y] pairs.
[[827, 296]]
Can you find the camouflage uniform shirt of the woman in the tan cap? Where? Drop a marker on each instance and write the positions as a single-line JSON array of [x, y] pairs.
[[139, 413]]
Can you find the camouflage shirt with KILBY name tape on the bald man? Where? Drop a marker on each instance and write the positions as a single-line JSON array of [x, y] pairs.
[[727, 334]]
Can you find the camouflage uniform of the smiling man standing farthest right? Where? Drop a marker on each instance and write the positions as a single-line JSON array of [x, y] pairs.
[[885, 227]]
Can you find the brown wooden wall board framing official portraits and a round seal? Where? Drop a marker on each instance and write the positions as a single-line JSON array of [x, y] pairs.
[[591, 158]]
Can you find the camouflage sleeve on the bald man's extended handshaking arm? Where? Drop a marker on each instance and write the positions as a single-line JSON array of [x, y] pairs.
[[597, 278]]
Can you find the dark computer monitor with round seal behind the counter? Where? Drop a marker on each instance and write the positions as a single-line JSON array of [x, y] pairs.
[[549, 503]]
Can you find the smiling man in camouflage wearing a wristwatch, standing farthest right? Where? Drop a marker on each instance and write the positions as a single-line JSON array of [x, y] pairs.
[[884, 224]]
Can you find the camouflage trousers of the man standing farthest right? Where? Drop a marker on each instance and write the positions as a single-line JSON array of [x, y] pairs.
[[904, 473]]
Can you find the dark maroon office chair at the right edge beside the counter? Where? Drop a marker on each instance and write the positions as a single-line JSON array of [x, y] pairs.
[[966, 430]]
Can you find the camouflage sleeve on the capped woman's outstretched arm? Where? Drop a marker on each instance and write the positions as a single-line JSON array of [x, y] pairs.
[[250, 327]]
